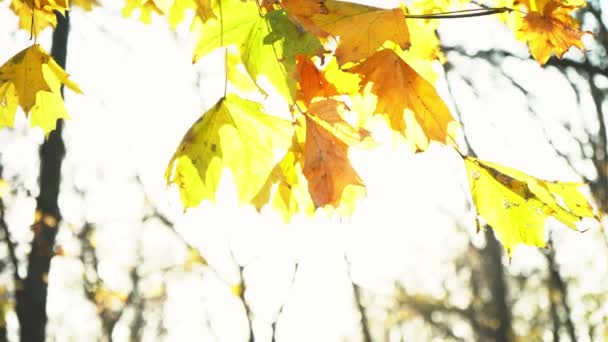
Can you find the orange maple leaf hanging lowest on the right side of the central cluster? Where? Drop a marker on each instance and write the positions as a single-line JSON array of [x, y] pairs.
[[411, 103]]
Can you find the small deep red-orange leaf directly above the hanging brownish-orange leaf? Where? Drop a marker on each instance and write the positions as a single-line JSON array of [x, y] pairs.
[[312, 82]]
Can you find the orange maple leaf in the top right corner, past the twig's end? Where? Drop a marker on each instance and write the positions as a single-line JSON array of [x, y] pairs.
[[551, 31]]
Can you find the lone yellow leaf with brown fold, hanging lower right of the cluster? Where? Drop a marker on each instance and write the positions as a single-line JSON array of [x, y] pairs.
[[516, 205]]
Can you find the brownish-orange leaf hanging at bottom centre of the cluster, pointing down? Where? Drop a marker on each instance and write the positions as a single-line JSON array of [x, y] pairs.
[[326, 164]]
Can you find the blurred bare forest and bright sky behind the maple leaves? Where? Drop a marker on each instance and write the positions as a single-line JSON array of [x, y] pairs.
[[123, 262]]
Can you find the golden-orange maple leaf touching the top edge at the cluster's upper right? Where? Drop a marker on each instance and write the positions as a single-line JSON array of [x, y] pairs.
[[362, 29]]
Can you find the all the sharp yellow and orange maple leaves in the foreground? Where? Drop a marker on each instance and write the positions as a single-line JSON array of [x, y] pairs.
[[342, 68]]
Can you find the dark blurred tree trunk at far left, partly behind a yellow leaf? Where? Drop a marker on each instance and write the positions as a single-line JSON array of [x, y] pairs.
[[31, 295]]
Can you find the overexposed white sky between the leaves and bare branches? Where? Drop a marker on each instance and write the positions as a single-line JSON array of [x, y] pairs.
[[141, 94]]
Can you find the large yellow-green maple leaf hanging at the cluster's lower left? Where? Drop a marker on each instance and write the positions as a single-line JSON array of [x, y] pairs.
[[237, 135]]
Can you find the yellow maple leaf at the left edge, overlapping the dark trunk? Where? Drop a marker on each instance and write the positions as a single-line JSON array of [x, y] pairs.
[[33, 80]]
